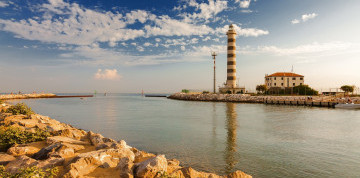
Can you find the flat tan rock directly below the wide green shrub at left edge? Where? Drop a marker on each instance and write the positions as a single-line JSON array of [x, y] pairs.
[[26, 149]]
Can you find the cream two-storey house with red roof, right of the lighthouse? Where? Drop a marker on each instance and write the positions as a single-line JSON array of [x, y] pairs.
[[284, 79]]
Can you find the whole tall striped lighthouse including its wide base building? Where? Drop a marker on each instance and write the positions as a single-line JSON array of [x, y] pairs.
[[231, 87]]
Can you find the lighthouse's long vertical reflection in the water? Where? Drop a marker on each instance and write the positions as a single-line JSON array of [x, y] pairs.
[[231, 125]]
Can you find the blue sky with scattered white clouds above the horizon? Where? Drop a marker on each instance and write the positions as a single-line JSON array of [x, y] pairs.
[[163, 46]]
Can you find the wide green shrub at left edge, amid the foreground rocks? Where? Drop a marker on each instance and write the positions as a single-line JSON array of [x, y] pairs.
[[13, 135]]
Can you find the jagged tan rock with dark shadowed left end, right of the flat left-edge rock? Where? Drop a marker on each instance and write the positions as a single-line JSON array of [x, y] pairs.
[[58, 149]]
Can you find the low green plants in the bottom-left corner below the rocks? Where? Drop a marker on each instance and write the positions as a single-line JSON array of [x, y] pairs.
[[30, 172]]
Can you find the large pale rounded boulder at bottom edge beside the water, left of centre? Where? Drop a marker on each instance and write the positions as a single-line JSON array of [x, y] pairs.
[[151, 167]]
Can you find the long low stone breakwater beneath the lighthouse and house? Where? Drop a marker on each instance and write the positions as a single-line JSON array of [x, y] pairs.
[[244, 98]]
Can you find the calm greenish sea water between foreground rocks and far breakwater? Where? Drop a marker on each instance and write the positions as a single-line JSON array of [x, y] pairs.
[[261, 140]]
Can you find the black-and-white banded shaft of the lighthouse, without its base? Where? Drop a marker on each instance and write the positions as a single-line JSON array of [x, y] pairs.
[[231, 58]]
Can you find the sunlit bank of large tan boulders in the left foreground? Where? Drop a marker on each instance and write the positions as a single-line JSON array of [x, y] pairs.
[[80, 153]]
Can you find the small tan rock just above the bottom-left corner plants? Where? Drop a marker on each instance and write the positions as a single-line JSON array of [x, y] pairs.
[[20, 162]]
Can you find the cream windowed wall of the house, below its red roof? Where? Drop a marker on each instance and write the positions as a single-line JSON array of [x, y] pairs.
[[283, 81]]
